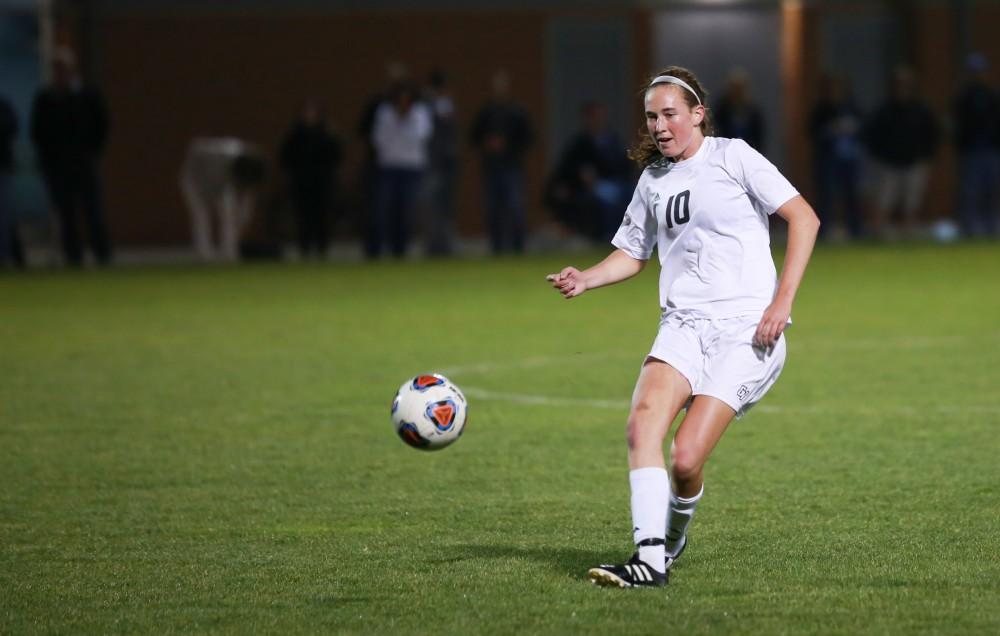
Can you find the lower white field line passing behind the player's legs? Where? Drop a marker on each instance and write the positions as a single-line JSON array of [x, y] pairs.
[[854, 409]]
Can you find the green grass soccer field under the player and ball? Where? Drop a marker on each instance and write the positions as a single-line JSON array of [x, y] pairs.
[[209, 450]]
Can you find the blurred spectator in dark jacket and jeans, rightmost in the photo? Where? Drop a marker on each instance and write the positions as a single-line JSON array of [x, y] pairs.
[[977, 139]]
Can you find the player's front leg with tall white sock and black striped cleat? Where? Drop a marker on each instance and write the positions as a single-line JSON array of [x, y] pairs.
[[659, 395]]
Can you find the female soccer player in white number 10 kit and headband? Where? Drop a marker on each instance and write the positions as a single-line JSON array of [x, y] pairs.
[[704, 203]]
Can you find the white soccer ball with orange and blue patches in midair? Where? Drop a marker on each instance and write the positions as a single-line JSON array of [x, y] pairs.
[[429, 412]]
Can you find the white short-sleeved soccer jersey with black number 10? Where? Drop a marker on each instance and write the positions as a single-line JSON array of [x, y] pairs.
[[708, 218]]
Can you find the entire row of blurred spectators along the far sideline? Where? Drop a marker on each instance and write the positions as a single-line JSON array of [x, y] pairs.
[[870, 169]]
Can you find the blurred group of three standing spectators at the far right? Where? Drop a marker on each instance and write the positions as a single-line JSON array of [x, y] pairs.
[[891, 151]]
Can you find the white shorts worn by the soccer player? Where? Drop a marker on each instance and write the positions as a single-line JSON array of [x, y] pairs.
[[718, 358]]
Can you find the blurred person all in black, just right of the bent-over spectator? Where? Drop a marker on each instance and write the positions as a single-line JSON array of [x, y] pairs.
[[310, 155]]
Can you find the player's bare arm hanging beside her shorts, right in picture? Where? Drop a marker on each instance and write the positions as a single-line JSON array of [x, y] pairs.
[[803, 225]]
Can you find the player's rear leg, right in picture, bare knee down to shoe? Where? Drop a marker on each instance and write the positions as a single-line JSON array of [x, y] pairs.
[[701, 429]]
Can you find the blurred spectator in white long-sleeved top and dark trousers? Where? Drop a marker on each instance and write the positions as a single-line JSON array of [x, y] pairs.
[[400, 134]]
